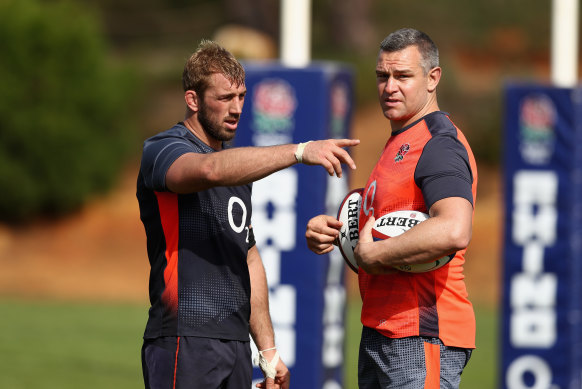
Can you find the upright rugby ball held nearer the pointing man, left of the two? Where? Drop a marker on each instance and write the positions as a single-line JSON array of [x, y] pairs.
[[349, 214]]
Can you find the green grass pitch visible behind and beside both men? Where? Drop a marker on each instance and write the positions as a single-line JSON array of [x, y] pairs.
[[72, 345]]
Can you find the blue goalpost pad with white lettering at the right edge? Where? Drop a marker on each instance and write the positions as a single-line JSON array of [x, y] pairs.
[[542, 299]]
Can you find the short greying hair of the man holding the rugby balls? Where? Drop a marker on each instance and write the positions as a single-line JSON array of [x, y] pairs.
[[405, 37]]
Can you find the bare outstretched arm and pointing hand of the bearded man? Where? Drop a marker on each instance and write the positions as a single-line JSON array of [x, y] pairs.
[[193, 172]]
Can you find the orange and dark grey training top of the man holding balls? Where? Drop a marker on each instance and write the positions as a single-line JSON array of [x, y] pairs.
[[421, 164]]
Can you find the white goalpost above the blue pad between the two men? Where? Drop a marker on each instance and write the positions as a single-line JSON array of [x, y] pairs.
[[295, 32]]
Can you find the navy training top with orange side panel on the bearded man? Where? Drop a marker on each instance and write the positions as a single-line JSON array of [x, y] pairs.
[[197, 246]]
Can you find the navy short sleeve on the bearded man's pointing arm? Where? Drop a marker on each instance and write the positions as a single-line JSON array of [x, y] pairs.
[[158, 155]]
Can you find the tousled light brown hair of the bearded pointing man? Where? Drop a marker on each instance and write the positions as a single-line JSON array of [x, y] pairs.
[[210, 58]]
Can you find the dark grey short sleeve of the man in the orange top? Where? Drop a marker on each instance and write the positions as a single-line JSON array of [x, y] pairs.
[[443, 170]]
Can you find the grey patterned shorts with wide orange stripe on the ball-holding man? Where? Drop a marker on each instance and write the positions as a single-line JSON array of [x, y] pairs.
[[409, 363]]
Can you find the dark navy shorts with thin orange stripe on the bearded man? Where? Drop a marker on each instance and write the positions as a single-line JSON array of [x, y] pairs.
[[193, 362]]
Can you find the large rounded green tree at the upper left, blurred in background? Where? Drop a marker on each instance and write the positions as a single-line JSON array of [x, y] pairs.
[[64, 109]]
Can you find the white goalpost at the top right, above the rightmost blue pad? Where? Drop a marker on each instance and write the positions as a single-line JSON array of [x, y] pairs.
[[564, 43]]
